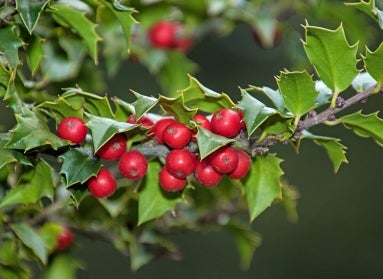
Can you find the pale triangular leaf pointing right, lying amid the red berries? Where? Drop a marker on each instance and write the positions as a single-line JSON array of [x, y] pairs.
[[208, 142]]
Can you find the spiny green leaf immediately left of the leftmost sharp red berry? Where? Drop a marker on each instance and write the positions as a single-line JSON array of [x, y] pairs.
[[32, 131]]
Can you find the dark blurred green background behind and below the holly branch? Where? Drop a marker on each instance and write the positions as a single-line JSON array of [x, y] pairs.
[[339, 233]]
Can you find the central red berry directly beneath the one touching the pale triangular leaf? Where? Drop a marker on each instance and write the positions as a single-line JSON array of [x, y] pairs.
[[180, 162]]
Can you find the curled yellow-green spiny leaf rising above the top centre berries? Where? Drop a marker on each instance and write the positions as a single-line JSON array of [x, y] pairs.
[[198, 96]]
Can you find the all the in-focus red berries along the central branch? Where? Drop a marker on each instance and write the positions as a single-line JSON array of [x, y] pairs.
[[180, 161]]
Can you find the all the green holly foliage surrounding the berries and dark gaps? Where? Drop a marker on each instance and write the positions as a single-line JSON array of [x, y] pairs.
[[47, 45]]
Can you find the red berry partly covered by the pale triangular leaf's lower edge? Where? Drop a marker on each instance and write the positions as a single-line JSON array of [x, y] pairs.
[[224, 160]]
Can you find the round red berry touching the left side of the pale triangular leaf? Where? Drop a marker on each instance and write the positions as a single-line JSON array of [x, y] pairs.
[[176, 135]]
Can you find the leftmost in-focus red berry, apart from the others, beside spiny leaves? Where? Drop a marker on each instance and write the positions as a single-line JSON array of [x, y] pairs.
[[73, 129]]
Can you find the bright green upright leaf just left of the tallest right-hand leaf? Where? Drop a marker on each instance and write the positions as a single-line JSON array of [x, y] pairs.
[[298, 92]]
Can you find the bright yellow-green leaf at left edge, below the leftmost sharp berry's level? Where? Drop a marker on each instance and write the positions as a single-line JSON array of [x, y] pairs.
[[34, 184]]
